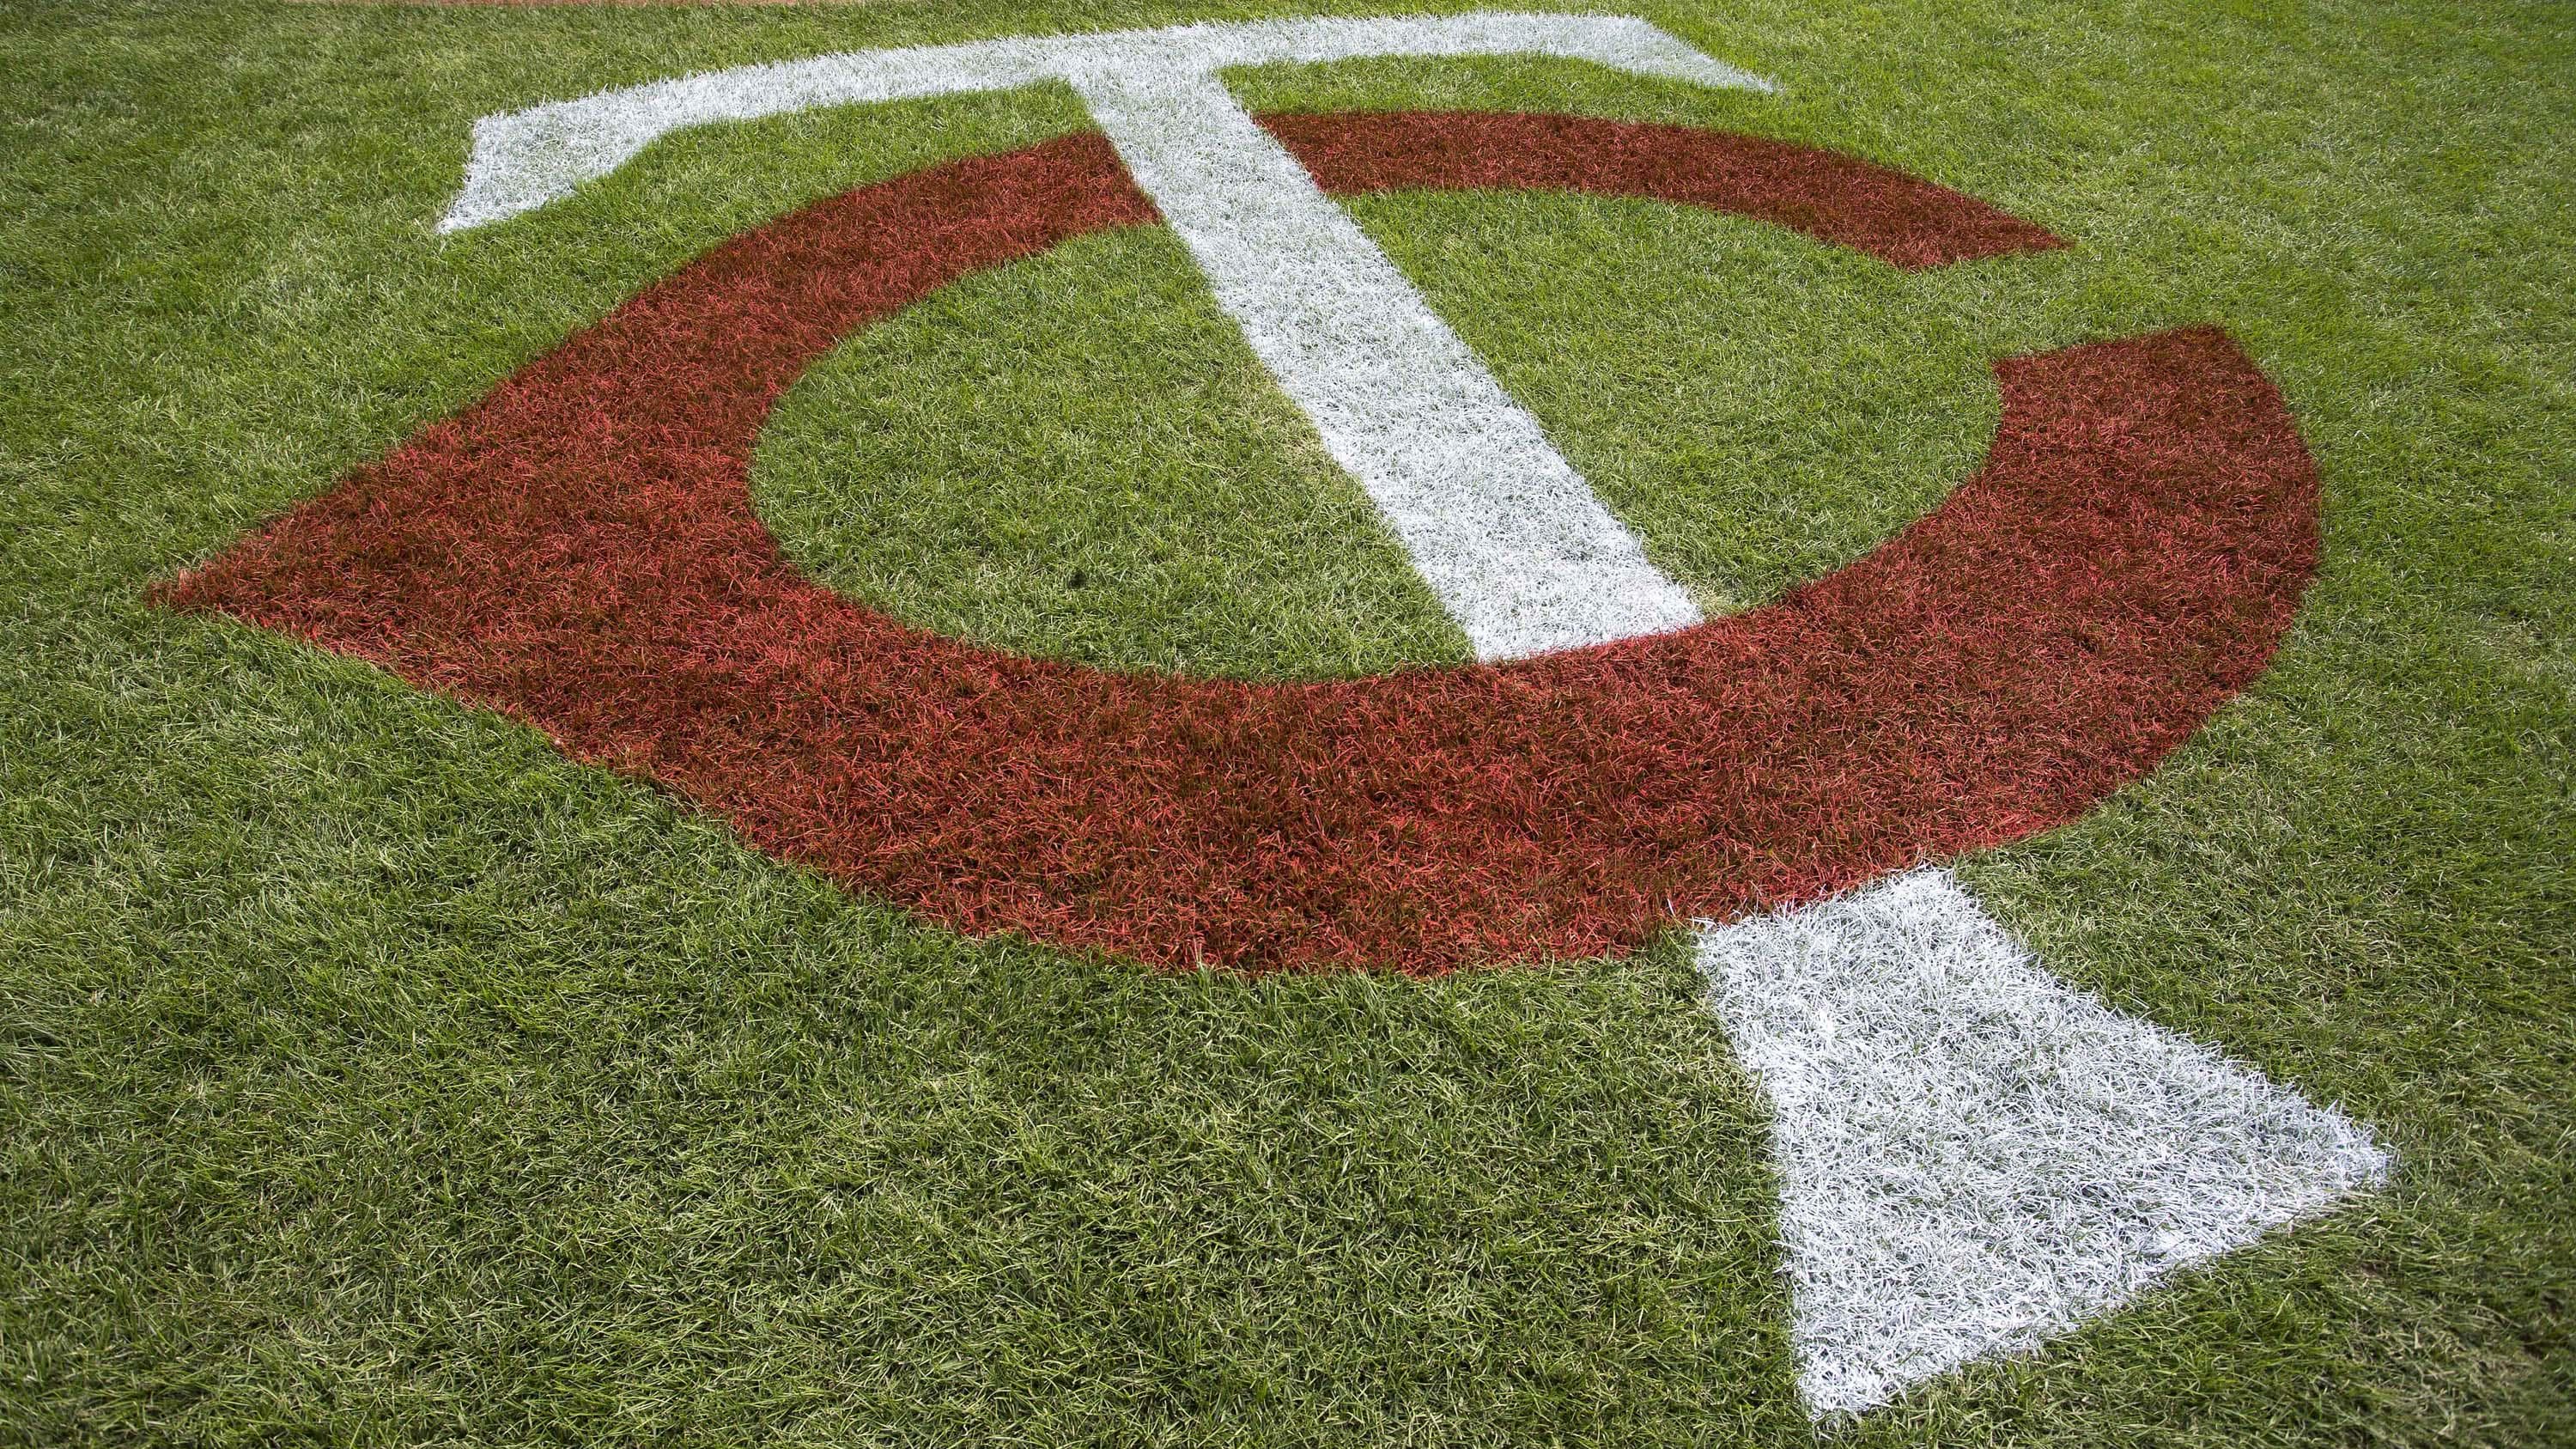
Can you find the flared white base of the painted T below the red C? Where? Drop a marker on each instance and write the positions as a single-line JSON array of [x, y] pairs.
[[1975, 1156]]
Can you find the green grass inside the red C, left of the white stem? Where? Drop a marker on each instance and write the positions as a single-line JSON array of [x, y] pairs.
[[1081, 458]]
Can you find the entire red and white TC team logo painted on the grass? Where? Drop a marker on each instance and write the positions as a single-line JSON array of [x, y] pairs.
[[581, 553]]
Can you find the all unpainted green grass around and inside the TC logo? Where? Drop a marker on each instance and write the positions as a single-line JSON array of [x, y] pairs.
[[370, 1074]]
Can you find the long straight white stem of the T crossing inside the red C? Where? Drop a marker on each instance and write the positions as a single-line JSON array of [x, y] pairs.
[[1501, 527]]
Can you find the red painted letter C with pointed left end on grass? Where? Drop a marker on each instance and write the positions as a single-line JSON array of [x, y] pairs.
[[581, 553]]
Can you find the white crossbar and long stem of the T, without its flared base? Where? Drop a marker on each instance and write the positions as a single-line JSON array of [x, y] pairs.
[[1503, 530]]
